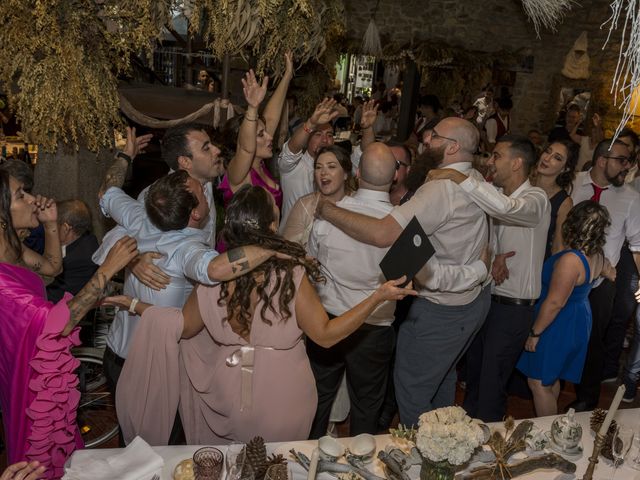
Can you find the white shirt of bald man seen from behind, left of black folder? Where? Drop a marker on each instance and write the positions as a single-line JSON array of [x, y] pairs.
[[351, 268]]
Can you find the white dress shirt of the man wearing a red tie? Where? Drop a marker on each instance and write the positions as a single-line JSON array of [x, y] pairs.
[[623, 204]]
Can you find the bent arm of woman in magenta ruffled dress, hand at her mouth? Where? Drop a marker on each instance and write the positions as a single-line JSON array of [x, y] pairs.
[[50, 263]]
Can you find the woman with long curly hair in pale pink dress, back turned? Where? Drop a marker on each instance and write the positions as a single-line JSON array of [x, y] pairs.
[[233, 358]]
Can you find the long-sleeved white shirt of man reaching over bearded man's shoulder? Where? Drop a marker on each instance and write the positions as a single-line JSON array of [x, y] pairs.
[[521, 223]]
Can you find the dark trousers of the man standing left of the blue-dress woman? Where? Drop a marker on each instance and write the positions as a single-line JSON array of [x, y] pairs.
[[492, 357]]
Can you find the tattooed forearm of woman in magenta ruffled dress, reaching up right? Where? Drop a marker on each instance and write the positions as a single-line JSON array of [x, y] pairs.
[[119, 256]]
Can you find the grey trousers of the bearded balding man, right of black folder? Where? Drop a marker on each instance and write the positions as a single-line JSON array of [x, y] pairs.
[[430, 342]]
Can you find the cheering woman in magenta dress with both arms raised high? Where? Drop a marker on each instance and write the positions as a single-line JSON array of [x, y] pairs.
[[255, 136]]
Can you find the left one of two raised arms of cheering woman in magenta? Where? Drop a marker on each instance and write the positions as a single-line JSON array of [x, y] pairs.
[[241, 162]]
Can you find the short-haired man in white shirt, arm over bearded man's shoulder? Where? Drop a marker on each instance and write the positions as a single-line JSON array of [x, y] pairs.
[[521, 215]]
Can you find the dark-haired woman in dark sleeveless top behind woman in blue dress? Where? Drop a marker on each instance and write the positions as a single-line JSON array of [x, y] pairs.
[[554, 173]]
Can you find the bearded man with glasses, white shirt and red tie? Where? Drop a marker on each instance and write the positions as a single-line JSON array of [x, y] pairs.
[[604, 183]]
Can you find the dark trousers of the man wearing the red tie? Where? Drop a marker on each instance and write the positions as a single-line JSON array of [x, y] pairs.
[[601, 300]]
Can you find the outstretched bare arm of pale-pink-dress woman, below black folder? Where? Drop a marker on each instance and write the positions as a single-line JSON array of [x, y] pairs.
[[314, 321]]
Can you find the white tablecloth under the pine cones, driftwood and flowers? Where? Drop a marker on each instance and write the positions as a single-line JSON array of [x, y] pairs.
[[629, 417]]
